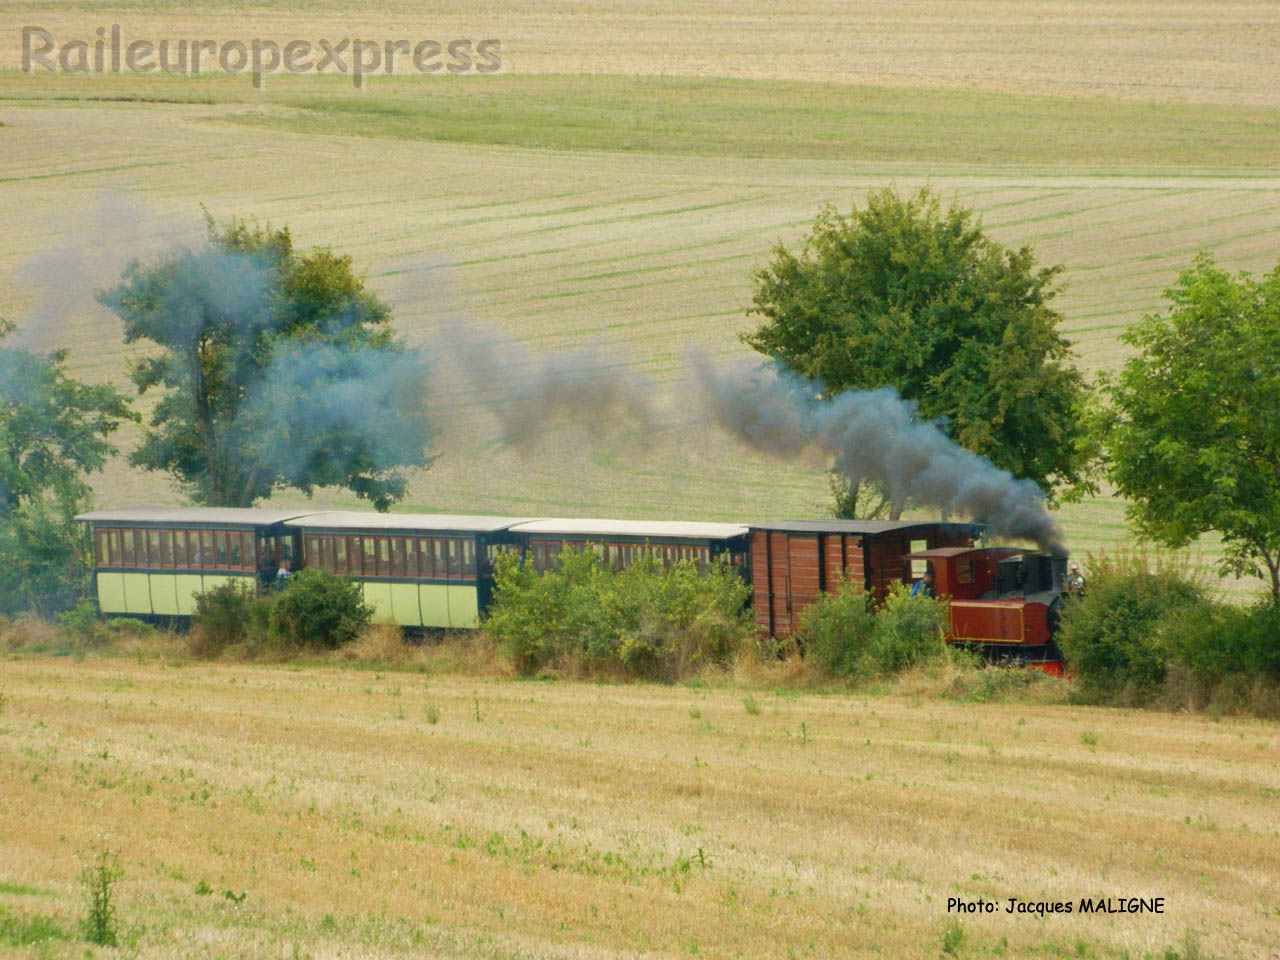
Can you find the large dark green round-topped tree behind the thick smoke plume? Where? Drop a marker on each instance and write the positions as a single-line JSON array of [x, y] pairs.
[[907, 296]]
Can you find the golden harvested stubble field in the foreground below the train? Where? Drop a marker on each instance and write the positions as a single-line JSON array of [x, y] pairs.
[[401, 815]]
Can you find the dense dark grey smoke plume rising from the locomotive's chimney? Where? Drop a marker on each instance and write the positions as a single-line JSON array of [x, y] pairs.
[[874, 436]]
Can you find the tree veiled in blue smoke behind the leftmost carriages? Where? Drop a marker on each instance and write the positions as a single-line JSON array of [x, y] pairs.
[[276, 369]]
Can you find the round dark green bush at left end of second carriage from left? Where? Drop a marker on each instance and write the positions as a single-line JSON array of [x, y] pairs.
[[318, 610]]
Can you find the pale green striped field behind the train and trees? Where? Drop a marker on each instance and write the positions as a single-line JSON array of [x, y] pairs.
[[621, 214]]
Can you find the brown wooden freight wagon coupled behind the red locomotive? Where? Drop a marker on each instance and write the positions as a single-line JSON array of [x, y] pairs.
[[796, 563]]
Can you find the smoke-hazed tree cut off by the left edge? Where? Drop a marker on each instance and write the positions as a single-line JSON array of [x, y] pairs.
[[53, 432]]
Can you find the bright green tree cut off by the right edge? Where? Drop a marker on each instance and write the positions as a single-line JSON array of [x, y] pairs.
[[1194, 433]]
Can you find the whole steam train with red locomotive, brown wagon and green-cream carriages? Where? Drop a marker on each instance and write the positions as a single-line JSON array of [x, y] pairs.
[[436, 572]]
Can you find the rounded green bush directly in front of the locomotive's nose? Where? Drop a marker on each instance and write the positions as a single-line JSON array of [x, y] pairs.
[[1112, 636]]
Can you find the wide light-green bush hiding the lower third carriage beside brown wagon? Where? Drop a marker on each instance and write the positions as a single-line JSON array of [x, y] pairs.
[[646, 621]]
